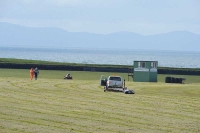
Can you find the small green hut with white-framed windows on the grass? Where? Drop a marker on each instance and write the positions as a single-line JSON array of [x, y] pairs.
[[145, 71]]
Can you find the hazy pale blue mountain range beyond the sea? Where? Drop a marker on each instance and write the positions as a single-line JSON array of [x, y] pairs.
[[16, 35]]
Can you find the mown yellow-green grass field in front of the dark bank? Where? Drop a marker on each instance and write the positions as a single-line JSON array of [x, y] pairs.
[[53, 105]]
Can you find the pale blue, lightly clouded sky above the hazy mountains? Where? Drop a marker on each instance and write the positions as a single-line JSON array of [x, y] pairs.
[[146, 17]]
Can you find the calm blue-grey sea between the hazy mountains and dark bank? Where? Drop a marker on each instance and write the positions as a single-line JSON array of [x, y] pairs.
[[176, 59]]
